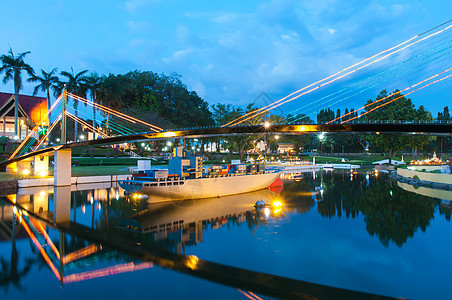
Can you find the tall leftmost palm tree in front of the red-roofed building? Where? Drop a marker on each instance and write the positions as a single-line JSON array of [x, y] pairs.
[[13, 66]]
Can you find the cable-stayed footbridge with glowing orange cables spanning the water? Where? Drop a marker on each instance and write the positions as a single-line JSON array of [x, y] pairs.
[[419, 67]]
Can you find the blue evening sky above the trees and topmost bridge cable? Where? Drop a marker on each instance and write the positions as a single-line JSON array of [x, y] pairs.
[[227, 51]]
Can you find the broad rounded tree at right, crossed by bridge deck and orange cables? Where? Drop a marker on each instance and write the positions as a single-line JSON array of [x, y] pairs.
[[394, 107]]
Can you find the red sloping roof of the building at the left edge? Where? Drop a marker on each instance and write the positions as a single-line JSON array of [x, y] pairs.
[[31, 107]]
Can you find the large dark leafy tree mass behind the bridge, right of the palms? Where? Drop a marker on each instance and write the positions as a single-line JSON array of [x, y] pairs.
[[148, 91]]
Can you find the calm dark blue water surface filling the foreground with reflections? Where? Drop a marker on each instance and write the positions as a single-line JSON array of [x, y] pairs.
[[359, 232]]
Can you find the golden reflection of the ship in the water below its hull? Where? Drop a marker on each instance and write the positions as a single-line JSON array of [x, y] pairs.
[[181, 223]]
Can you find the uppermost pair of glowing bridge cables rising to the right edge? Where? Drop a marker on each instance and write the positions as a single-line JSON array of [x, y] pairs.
[[285, 100]]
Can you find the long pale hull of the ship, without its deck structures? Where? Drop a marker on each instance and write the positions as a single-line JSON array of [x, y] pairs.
[[203, 187]]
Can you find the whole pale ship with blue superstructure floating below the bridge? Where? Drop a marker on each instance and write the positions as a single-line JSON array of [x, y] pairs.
[[186, 181]]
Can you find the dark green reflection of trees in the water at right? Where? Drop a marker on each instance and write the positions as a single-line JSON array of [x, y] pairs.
[[390, 213]]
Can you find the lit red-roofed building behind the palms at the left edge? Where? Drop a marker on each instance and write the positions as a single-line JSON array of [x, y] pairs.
[[31, 111]]
